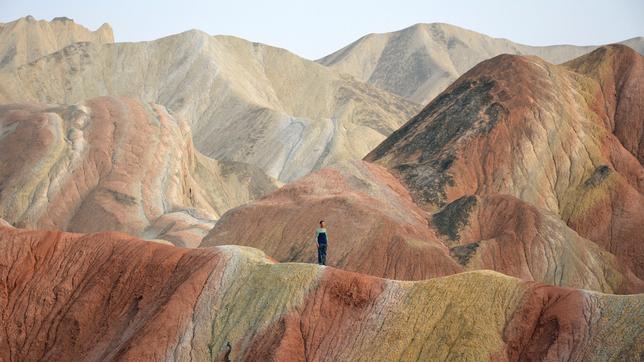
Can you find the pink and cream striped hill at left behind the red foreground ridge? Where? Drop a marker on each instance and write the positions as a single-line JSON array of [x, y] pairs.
[[114, 164]]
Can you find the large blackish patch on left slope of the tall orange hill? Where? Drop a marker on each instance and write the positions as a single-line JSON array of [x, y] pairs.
[[430, 140]]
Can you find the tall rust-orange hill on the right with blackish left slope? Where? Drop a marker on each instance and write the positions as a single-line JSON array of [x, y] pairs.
[[542, 133]]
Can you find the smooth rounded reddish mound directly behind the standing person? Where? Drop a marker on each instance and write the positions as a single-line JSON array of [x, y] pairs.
[[374, 227]]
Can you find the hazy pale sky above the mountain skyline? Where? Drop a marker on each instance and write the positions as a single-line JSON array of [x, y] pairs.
[[316, 28]]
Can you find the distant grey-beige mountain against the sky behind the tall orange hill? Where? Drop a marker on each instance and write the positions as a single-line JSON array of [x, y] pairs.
[[421, 61]]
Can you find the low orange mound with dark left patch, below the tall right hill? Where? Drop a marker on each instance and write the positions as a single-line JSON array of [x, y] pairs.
[[505, 234]]
